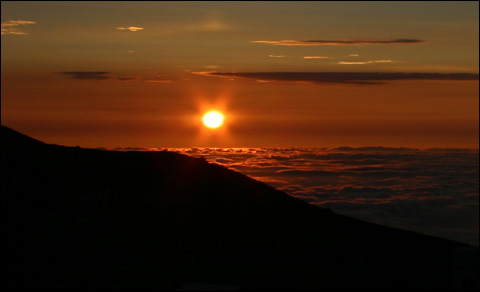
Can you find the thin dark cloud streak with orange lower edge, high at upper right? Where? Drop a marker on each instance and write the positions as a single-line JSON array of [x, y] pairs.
[[341, 42]]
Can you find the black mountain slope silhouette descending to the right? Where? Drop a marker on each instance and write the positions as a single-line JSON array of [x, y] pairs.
[[84, 219]]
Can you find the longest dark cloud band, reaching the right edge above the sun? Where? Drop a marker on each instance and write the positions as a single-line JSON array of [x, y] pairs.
[[342, 77]]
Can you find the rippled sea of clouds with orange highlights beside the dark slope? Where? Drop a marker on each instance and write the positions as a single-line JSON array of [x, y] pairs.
[[433, 191]]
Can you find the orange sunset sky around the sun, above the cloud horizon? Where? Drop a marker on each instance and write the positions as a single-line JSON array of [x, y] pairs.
[[303, 74]]
